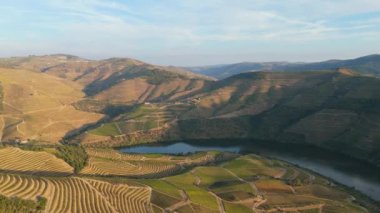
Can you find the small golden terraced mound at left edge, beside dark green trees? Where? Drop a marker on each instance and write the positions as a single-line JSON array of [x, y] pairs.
[[30, 162]]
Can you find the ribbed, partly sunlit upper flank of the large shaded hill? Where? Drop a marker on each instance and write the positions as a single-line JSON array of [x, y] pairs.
[[250, 93]]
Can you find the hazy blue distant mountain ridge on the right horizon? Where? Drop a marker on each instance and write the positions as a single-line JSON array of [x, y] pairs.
[[367, 65]]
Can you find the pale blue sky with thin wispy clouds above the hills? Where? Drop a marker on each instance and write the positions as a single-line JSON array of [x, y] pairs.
[[192, 32]]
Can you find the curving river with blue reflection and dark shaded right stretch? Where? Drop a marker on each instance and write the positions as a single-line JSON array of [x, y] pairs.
[[342, 169]]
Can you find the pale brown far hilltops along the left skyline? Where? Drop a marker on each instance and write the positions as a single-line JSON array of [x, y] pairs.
[[83, 70]]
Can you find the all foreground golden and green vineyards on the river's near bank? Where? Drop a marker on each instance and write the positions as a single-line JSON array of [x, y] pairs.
[[238, 184]]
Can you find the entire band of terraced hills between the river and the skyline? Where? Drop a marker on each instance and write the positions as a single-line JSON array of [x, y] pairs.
[[124, 101]]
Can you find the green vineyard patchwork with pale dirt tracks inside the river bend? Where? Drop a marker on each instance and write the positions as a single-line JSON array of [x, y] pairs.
[[250, 184]]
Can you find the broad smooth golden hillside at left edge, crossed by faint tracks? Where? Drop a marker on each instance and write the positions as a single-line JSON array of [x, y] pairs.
[[38, 106]]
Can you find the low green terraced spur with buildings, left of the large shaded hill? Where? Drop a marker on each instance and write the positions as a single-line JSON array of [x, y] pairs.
[[150, 120]]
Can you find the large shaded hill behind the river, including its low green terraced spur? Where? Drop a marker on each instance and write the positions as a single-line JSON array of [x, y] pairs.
[[337, 110]]
